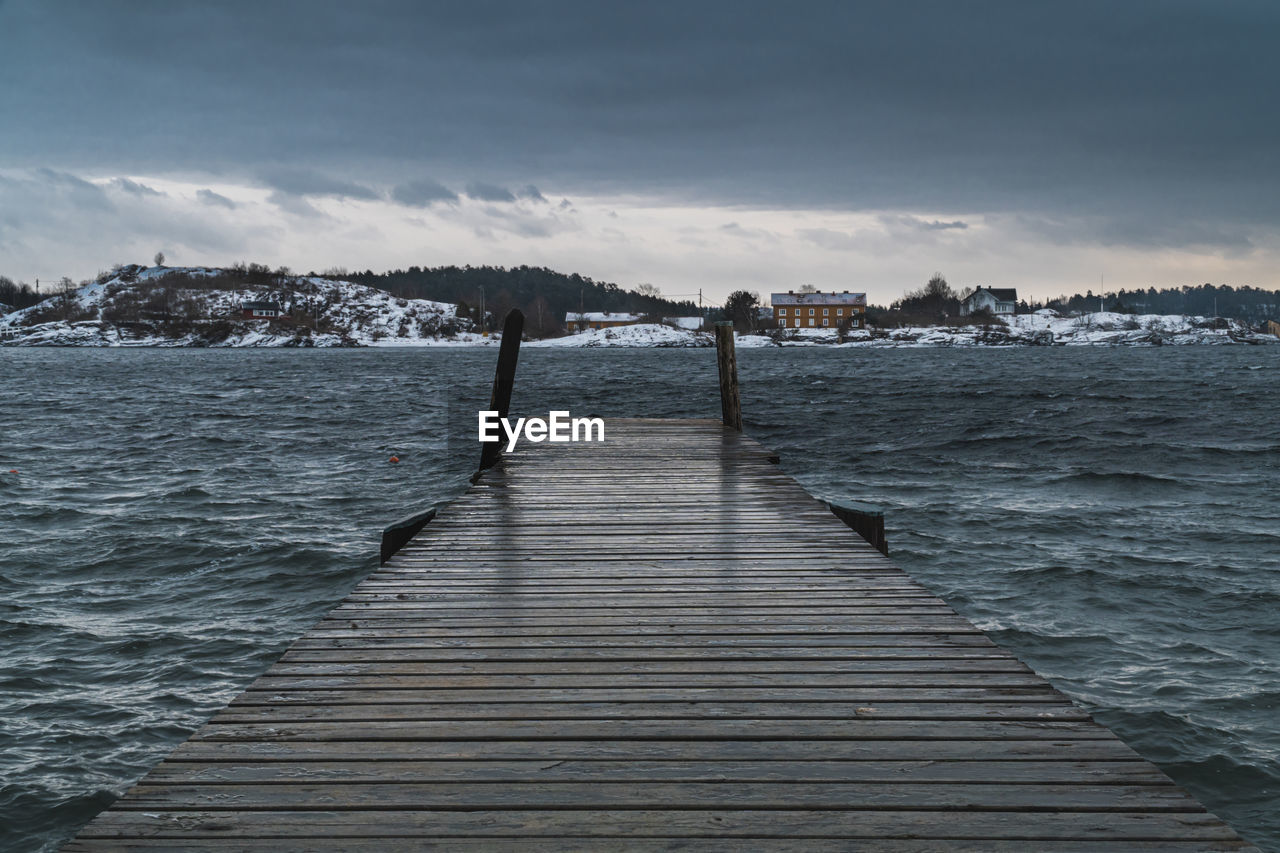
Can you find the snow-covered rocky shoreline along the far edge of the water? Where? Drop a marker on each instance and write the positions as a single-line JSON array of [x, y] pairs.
[[122, 311]]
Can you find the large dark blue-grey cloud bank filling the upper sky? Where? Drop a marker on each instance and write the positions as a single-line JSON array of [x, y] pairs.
[[1146, 110]]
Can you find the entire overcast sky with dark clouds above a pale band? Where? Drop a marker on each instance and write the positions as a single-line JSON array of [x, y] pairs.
[[697, 144]]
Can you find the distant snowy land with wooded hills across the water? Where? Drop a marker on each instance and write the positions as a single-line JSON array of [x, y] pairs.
[[254, 307]]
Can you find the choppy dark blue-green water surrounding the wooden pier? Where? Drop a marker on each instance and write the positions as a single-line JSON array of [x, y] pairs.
[[179, 518]]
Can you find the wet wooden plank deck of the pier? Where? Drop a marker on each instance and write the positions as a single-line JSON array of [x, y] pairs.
[[657, 642]]
